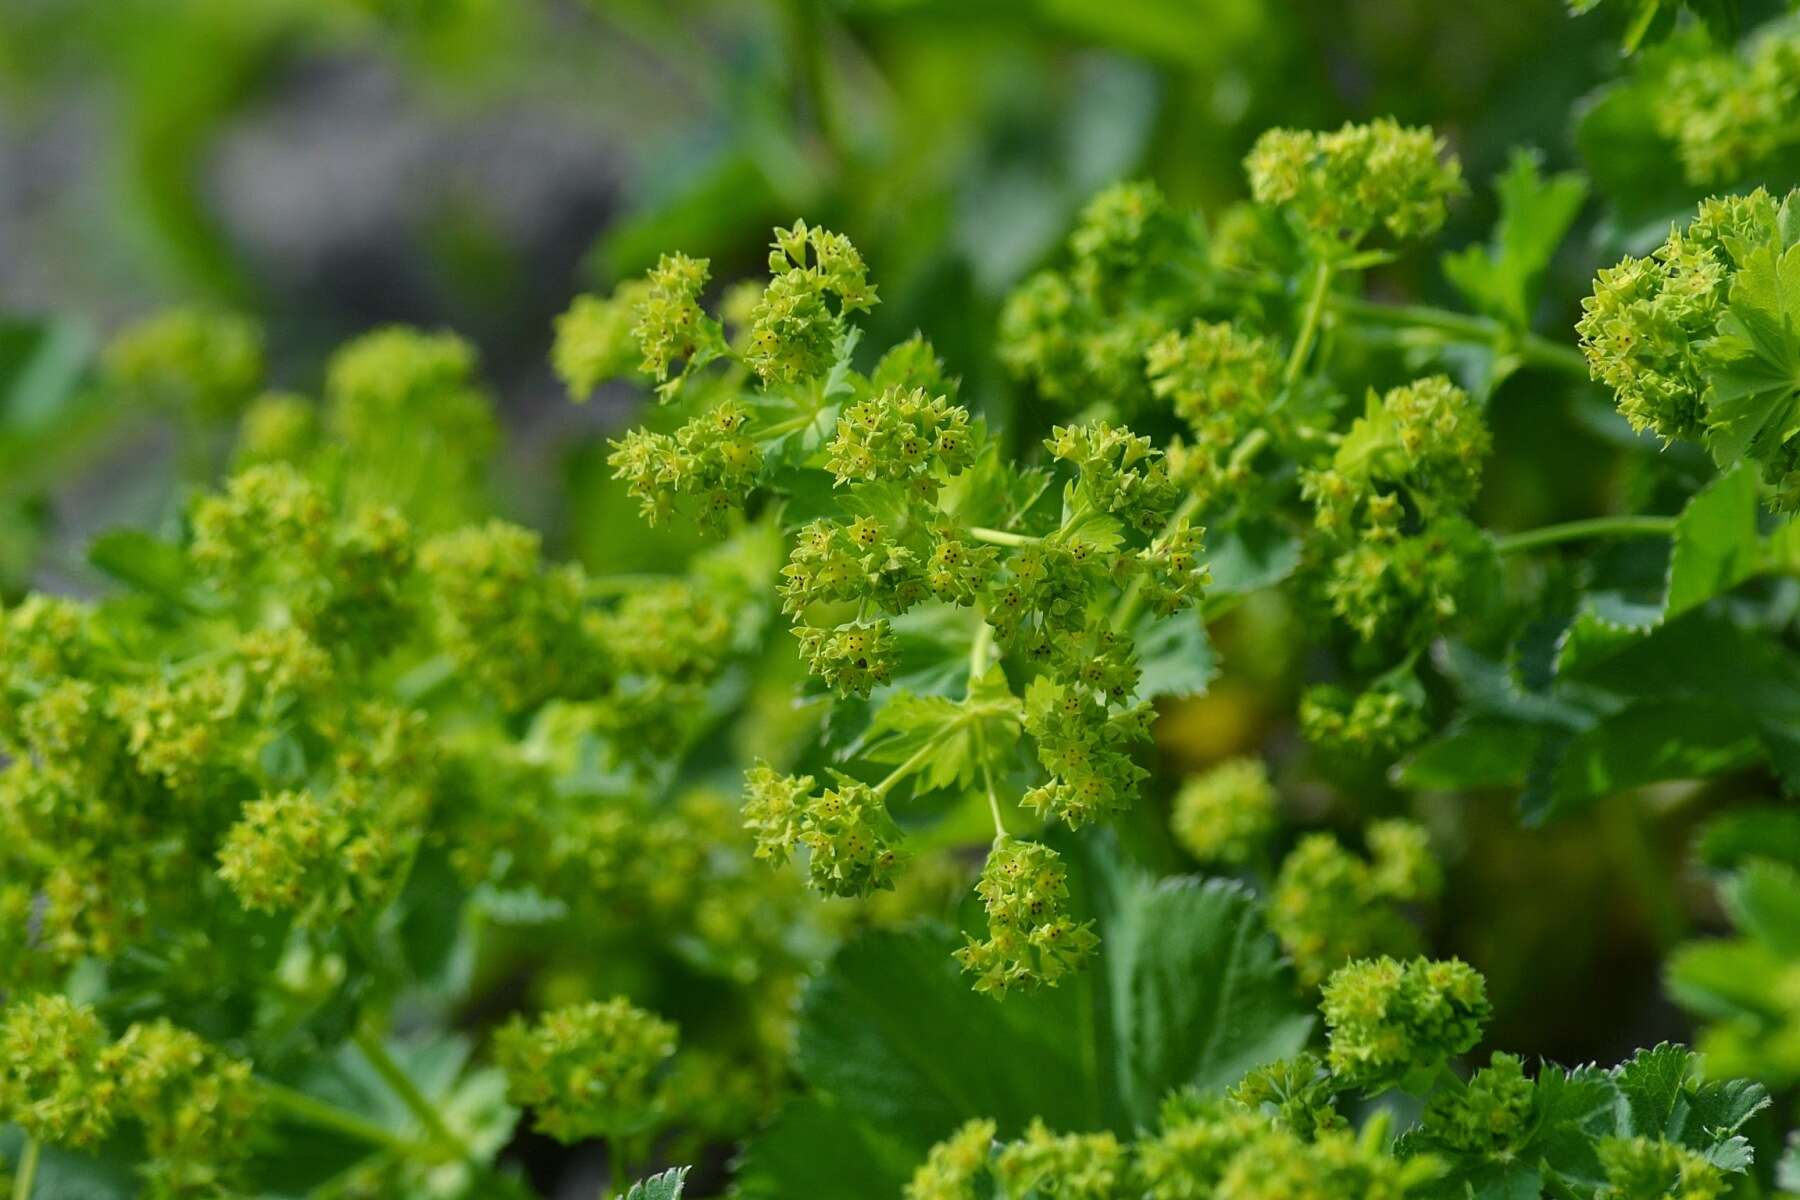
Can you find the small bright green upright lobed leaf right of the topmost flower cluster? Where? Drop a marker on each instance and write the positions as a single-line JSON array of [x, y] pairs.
[[1502, 280]]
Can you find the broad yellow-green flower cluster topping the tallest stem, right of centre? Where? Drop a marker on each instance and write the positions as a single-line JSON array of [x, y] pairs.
[[1340, 188]]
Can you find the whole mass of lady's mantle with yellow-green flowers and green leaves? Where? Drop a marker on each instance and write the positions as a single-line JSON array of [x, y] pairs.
[[265, 803]]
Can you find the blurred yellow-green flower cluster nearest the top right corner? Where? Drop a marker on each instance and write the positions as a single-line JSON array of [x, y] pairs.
[[1731, 114]]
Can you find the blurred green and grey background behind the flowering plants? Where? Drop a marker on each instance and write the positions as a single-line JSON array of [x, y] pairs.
[[330, 166]]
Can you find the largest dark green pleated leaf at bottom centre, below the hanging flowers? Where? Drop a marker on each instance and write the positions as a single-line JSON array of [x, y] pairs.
[[897, 1050]]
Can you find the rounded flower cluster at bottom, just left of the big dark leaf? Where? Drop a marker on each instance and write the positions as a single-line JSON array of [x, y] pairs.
[[593, 1070]]
